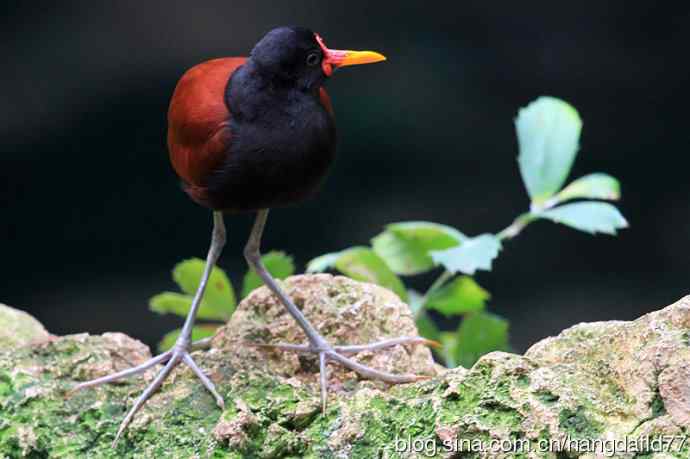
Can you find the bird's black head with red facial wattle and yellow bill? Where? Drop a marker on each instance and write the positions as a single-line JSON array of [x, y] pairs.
[[298, 57]]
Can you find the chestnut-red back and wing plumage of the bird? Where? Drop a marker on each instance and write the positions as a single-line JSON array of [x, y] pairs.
[[199, 134]]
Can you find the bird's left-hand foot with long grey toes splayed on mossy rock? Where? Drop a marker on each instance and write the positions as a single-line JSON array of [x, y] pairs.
[[178, 354]]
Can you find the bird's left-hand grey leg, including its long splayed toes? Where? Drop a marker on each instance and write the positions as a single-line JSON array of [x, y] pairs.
[[180, 353]]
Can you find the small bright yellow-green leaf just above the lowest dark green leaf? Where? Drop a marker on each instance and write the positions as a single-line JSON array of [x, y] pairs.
[[459, 296]]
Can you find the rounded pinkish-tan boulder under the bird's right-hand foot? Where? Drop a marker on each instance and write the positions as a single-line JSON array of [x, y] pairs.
[[343, 310]]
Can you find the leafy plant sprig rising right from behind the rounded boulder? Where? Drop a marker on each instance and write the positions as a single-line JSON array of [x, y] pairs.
[[548, 132]]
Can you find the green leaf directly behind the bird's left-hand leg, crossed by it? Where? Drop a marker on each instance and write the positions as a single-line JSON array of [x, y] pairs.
[[219, 298]]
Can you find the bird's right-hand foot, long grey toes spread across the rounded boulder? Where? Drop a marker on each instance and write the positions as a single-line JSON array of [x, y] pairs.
[[338, 354]]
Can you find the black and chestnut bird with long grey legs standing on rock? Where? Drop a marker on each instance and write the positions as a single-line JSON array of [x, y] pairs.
[[245, 135]]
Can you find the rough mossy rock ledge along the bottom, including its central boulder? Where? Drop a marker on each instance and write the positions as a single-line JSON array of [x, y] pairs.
[[586, 388]]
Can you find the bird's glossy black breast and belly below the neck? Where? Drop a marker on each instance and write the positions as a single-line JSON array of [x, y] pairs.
[[283, 144]]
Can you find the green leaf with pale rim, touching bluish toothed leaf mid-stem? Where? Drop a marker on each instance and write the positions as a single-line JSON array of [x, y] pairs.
[[405, 246]]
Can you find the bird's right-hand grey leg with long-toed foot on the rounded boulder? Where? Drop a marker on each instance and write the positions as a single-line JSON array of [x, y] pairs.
[[317, 343]]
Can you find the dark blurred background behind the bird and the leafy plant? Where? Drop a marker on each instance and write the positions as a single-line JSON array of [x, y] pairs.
[[93, 218]]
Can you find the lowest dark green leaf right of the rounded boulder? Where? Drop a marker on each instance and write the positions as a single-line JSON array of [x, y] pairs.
[[478, 334]]
